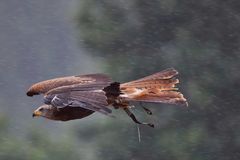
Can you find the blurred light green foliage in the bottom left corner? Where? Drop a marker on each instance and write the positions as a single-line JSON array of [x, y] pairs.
[[36, 146]]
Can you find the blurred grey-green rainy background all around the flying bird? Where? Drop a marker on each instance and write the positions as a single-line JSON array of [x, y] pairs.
[[126, 39]]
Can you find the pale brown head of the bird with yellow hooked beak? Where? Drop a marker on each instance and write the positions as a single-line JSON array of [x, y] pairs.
[[46, 111]]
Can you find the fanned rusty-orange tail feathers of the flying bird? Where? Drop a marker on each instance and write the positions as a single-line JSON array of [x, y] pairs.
[[158, 88]]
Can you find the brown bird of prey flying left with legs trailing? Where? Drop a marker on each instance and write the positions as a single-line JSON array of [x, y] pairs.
[[76, 97]]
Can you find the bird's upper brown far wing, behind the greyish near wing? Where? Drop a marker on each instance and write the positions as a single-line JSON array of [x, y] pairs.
[[45, 86]]
